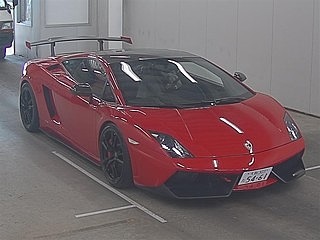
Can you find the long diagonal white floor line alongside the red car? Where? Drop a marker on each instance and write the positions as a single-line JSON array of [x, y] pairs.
[[111, 189]]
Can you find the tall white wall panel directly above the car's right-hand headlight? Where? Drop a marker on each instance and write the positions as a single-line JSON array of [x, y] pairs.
[[292, 51]]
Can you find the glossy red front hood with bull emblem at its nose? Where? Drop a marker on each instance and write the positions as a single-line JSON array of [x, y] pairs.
[[252, 126]]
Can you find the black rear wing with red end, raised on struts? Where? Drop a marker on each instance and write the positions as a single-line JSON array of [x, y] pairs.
[[52, 41]]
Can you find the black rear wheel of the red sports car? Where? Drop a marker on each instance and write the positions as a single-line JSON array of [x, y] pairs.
[[28, 109]]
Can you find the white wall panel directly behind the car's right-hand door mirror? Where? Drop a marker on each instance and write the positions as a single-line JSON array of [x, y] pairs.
[[254, 44]]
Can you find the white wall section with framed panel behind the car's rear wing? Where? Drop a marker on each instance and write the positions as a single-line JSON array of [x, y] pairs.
[[71, 27]]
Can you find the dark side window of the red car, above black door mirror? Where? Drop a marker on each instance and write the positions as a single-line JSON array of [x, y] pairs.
[[88, 70]]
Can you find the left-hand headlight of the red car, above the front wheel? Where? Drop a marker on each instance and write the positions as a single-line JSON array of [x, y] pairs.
[[171, 146]]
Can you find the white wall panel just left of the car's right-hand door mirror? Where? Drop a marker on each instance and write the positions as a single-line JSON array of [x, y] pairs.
[[222, 32]]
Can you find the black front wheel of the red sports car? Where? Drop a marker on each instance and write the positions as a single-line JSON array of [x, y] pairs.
[[115, 159]]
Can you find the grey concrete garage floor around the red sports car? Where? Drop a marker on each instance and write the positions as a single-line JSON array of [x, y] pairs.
[[42, 196]]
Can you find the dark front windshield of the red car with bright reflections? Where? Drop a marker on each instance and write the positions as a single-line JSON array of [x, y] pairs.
[[177, 82]]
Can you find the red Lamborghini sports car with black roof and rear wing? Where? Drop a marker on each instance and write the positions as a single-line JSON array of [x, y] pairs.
[[161, 119]]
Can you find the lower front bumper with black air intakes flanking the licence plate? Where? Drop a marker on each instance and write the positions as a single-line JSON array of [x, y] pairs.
[[186, 185]]
